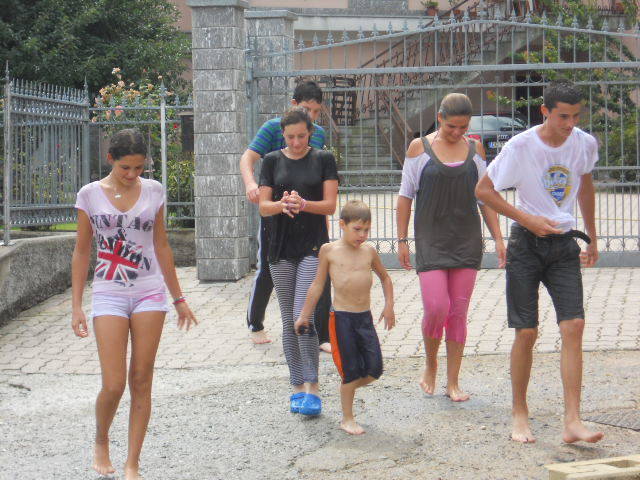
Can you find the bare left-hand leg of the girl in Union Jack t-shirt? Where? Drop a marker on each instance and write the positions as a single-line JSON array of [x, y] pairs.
[[112, 334]]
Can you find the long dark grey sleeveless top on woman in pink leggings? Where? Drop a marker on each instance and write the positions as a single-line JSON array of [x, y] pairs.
[[446, 219]]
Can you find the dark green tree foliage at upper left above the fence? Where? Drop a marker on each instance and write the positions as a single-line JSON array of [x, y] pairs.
[[61, 42]]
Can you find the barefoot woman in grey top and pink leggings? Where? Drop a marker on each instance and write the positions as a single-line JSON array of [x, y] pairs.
[[440, 172]]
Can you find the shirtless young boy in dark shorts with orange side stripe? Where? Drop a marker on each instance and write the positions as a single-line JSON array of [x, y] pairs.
[[354, 342]]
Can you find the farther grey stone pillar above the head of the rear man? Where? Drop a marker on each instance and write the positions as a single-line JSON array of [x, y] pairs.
[[271, 31]]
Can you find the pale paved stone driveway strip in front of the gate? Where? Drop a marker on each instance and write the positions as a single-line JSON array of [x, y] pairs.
[[40, 339]]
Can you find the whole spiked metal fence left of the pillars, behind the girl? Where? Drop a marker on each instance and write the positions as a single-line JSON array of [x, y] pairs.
[[55, 142]]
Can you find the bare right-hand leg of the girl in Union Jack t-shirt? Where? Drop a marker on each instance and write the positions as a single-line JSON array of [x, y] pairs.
[[146, 329]]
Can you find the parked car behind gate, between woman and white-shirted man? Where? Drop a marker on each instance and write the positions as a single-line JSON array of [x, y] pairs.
[[494, 130]]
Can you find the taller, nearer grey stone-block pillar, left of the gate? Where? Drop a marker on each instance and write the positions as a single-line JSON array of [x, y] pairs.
[[219, 100]]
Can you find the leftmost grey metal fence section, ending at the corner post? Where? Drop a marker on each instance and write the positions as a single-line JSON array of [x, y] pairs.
[[46, 153]]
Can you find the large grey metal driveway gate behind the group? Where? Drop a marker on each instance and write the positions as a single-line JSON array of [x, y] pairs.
[[502, 60]]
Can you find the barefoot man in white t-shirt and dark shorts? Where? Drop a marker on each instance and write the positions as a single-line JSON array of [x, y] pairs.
[[550, 166]]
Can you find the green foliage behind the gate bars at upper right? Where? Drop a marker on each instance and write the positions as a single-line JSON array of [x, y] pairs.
[[612, 113]]
